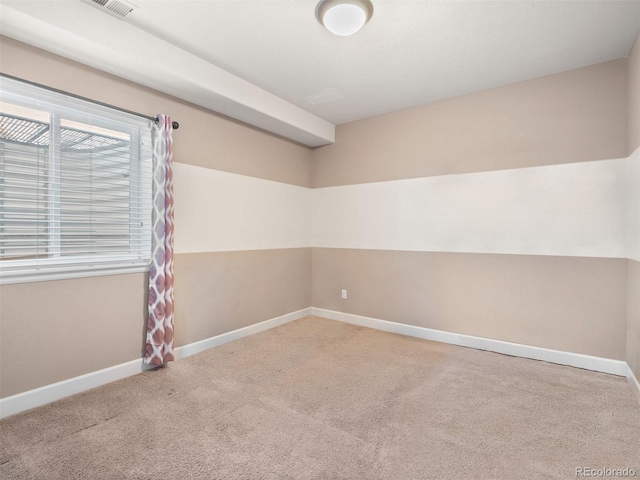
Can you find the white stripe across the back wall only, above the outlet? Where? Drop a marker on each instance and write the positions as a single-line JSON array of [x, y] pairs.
[[576, 209]]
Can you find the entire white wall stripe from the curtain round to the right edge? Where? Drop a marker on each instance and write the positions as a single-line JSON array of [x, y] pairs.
[[575, 209]]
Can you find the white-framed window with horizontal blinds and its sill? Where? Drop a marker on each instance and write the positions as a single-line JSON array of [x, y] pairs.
[[75, 186]]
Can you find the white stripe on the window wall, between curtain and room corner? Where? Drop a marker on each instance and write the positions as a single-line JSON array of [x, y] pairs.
[[218, 211]]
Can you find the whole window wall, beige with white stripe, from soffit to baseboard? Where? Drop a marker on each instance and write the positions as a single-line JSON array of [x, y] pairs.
[[242, 241]]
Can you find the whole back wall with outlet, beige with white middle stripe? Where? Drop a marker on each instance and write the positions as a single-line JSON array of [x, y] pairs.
[[500, 214]]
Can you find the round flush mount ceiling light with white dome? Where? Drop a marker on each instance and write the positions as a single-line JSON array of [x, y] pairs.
[[344, 17]]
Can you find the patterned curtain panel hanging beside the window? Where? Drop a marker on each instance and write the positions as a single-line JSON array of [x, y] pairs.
[[159, 348]]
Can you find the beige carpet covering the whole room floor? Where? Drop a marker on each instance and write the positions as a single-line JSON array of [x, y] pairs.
[[317, 399]]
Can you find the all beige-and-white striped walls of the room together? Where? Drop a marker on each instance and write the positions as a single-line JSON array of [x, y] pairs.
[[510, 214]]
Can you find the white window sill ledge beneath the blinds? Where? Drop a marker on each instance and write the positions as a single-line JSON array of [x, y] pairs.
[[67, 273]]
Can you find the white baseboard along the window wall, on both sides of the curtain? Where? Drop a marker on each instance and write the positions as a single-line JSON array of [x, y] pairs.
[[56, 391]]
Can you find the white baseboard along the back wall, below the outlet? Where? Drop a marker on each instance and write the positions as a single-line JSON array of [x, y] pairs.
[[598, 364]]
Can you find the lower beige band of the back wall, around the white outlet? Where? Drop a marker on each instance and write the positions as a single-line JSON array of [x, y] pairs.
[[574, 304]]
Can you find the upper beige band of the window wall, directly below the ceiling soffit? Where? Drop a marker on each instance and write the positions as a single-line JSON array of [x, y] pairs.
[[204, 139]]
